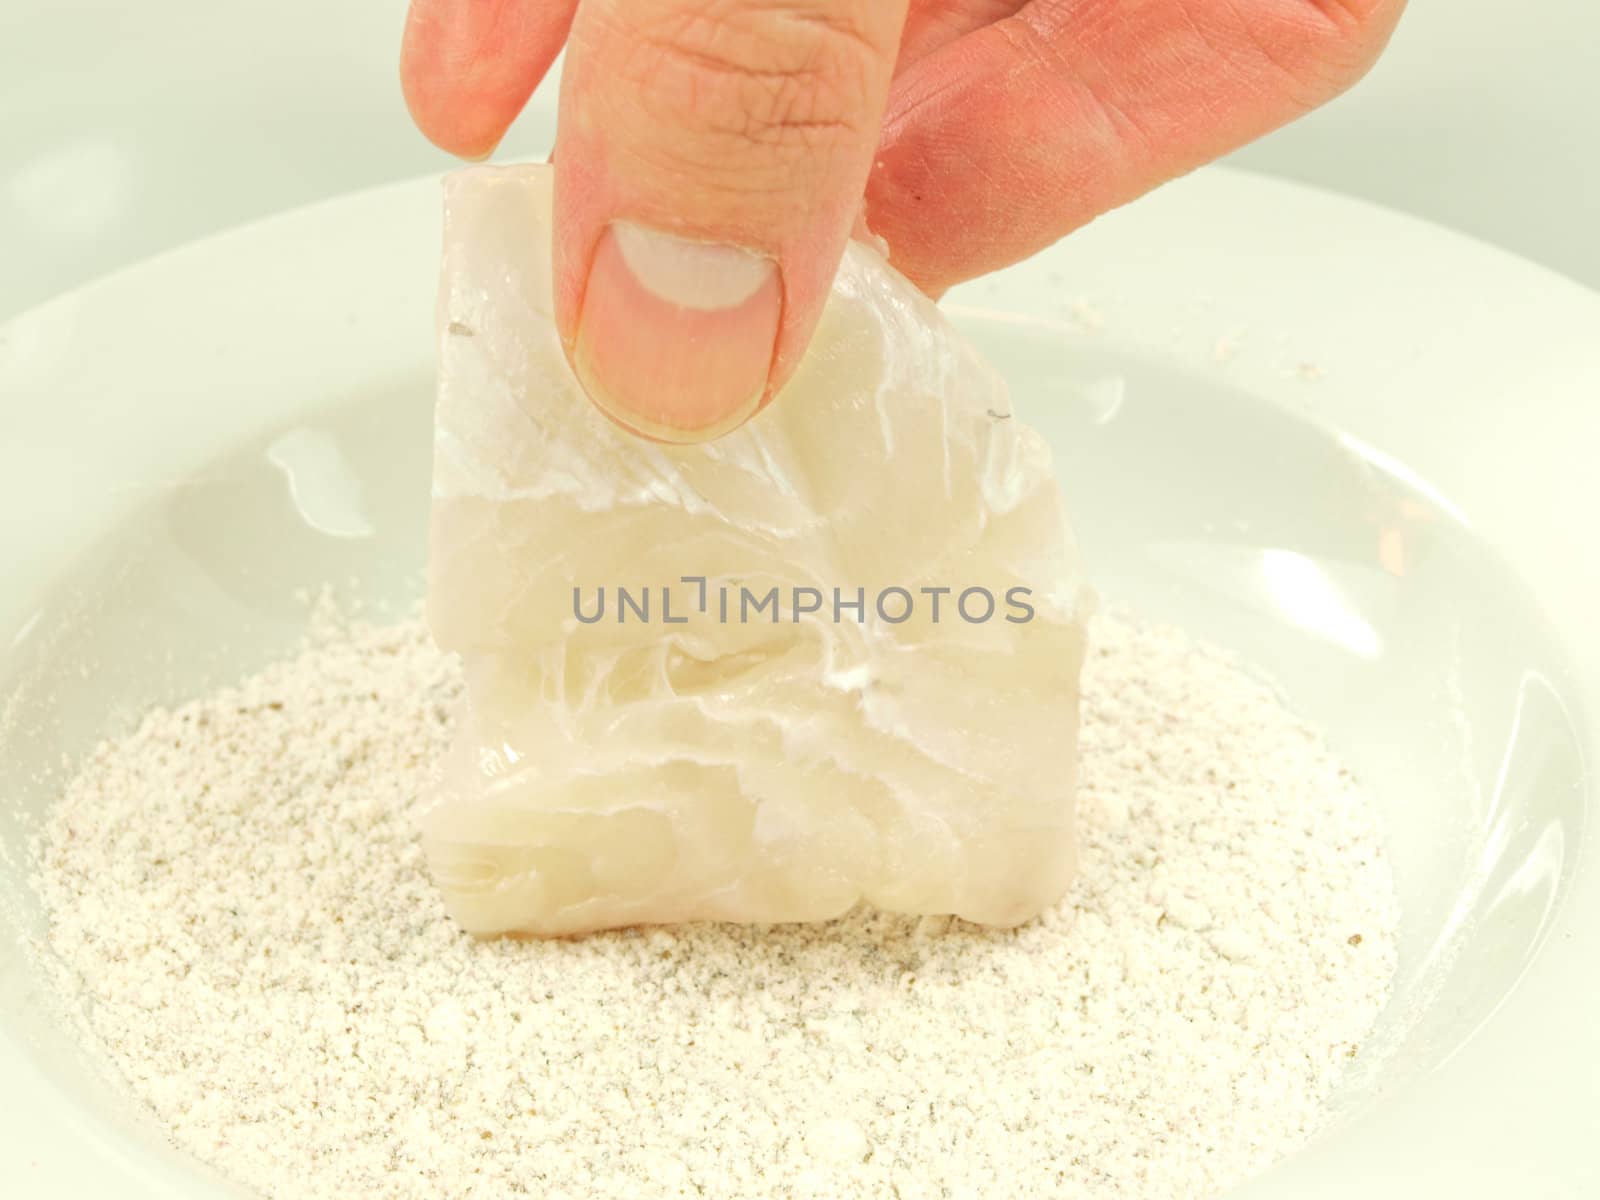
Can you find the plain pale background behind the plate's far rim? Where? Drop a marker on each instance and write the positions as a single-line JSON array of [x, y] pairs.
[[130, 127]]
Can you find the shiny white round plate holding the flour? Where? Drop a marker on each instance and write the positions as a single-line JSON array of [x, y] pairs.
[[1356, 449]]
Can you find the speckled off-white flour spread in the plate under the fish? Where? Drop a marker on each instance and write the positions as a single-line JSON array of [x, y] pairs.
[[239, 911]]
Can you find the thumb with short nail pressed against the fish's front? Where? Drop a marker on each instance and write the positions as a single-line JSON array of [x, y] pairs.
[[710, 166]]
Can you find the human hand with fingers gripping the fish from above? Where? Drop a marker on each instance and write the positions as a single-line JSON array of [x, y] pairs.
[[713, 156]]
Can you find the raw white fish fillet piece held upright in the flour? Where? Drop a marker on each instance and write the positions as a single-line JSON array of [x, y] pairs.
[[639, 772]]
